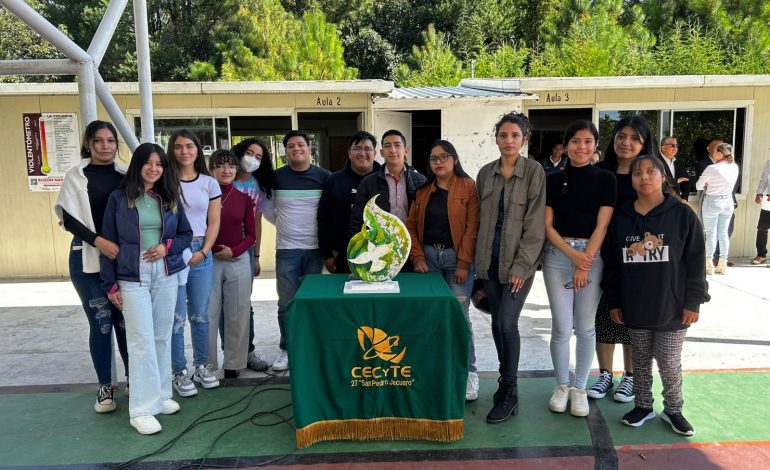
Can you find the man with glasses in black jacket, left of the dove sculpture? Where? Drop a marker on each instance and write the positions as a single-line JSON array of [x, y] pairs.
[[337, 200]]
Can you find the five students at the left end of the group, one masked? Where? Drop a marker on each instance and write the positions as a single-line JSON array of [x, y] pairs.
[[159, 243]]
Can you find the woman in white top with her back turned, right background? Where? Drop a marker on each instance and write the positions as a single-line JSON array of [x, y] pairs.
[[718, 182]]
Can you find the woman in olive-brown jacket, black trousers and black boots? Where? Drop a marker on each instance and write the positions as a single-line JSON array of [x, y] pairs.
[[508, 247]]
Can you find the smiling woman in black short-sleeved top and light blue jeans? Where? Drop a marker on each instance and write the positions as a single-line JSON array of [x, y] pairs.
[[580, 199]]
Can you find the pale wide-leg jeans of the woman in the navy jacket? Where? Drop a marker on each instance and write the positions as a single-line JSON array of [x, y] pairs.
[[148, 307]]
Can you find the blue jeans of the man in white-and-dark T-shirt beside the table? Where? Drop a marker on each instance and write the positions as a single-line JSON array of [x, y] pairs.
[[290, 266]]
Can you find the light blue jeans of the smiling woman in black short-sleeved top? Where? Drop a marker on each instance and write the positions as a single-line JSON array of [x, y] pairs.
[[570, 311]]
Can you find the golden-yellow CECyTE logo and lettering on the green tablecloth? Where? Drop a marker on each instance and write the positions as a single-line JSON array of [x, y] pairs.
[[377, 344]]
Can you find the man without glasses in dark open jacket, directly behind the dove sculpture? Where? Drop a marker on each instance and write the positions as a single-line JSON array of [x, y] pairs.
[[395, 182]]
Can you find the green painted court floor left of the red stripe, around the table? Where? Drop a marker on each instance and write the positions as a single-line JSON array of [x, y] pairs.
[[73, 433]]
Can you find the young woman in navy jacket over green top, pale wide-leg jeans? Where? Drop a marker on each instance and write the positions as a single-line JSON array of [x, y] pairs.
[[146, 219]]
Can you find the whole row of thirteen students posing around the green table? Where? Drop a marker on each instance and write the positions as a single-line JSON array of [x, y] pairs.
[[622, 257]]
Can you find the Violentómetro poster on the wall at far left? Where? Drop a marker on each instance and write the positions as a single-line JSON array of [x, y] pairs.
[[51, 147]]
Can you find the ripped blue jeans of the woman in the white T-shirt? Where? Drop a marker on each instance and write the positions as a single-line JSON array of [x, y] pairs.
[[192, 302]]
